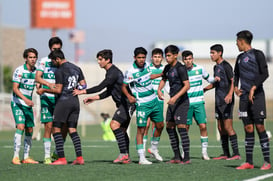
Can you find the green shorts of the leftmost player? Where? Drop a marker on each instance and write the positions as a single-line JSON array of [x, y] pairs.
[[22, 115]]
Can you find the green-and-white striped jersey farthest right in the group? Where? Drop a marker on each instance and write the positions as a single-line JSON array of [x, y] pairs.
[[196, 74]]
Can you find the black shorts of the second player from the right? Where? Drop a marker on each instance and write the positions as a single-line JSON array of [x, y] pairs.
[[225, 111]]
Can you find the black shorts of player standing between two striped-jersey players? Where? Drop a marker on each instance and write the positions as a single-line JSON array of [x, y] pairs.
[[178, 112]]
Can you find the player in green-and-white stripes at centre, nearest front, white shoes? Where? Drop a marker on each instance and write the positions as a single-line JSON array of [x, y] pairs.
[[138, 78]]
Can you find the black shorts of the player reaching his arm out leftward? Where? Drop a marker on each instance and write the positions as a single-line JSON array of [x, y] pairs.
[[123, 114]]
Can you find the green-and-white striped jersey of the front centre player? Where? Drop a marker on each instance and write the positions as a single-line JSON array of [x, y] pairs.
[[140, 83]]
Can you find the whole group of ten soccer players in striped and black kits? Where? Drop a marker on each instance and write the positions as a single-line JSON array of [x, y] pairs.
[[141, 89]]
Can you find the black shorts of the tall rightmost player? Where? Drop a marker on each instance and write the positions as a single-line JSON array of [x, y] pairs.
[[253, 113]]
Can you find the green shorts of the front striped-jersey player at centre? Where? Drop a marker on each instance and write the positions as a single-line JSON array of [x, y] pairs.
[[152, 110]]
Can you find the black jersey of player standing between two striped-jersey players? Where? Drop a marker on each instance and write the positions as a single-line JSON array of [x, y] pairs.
[[176, 75]]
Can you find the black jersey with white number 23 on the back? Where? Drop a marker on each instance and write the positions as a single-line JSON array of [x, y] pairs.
[[69, 75]]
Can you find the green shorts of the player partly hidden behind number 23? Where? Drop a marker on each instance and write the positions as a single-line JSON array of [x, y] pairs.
[[47, 109]]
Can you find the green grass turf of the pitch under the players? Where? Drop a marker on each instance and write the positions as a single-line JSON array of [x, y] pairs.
[[99, 155]]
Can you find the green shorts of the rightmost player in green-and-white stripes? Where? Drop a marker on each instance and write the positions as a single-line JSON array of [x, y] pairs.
[[198, 112]]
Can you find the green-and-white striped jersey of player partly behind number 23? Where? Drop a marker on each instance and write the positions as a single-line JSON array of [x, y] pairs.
[[46, 66]]
